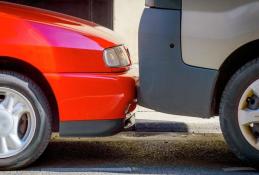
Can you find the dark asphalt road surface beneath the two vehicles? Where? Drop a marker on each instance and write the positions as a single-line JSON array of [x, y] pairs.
[[139, 153]]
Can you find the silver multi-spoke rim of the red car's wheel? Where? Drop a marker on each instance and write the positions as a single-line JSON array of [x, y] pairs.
[[17, 122]]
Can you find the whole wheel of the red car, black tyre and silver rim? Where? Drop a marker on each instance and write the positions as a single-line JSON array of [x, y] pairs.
[[36, 123]]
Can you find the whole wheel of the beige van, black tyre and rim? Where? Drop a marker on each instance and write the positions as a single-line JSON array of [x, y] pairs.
[[235, 103]]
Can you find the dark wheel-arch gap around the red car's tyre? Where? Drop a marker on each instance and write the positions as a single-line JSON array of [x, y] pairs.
[[12, 64]]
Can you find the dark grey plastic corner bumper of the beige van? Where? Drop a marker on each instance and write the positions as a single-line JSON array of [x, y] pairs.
[[167, 84]]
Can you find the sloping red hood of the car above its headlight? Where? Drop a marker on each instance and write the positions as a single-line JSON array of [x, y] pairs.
[[56, 19]]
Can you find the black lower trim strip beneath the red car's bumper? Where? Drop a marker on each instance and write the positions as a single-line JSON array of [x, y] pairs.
[[92, 128]]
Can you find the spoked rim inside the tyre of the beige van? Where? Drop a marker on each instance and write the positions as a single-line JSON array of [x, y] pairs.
[[248, 118]]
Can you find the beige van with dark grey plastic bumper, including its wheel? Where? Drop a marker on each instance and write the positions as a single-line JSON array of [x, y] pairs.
[[201, 58]]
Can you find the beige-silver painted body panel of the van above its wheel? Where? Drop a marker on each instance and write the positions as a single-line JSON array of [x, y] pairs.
[[213, 29]]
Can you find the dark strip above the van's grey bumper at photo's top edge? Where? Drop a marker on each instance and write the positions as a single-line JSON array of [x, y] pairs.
[[164, 4]]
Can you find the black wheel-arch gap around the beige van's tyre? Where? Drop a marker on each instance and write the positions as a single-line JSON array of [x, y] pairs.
[[235, 61]]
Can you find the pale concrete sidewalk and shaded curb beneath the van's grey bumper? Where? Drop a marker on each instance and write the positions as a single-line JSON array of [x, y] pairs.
[[151, 121]]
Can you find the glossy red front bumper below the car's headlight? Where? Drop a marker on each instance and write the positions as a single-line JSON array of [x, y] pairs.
[[88, 96]]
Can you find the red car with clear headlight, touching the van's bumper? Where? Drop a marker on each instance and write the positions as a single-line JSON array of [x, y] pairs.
[[58, 73]]
